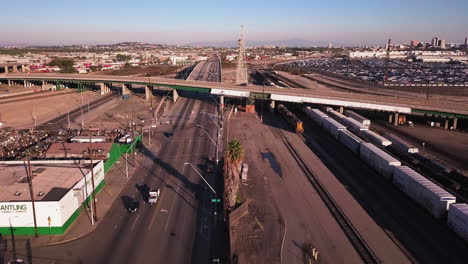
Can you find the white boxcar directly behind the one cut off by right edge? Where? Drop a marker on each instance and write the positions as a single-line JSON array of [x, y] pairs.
[[424, 192]]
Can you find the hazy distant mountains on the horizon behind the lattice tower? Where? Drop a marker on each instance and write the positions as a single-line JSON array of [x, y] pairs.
[[288, 43]]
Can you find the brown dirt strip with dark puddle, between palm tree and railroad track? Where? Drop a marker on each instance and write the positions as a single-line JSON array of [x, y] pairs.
[[286, 216]]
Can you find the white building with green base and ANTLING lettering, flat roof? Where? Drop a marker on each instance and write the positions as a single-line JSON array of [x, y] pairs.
[[59, 190]]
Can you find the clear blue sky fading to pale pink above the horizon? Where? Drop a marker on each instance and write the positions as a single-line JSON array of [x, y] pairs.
[[185, 21]]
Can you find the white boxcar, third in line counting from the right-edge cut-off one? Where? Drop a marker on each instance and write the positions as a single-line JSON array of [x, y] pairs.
[[378, 159]]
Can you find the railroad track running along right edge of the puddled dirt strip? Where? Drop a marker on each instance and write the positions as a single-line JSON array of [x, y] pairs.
[[366, 254]]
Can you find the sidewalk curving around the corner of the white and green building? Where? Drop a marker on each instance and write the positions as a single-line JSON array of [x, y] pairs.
[[115, 180]]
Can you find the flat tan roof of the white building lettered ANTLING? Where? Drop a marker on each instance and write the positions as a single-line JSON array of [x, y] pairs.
[[50, 181]]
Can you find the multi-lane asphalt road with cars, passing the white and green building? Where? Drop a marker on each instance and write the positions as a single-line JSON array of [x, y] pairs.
[[178, 228]]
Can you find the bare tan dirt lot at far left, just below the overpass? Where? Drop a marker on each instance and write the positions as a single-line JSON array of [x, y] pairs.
[[21, 115]]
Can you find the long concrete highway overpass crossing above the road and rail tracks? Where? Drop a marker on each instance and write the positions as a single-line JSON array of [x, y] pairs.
[[437, 106]]
